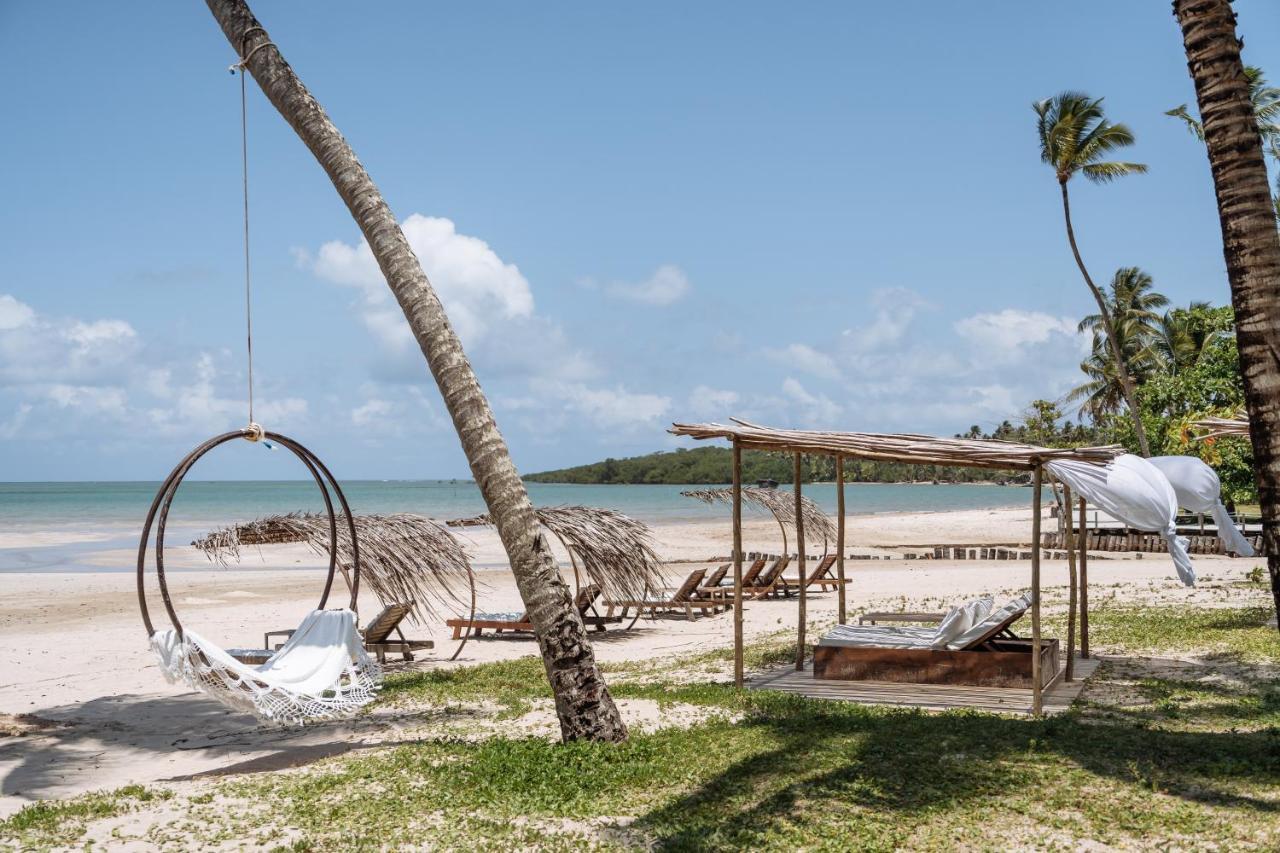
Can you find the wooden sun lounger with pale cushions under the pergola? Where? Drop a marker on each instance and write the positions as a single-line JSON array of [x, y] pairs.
[[972, 646]]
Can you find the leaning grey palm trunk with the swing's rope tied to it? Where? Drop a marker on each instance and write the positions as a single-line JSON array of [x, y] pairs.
[[583, 701]]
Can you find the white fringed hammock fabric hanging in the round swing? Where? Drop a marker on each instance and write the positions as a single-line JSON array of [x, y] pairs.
[[321, 673]]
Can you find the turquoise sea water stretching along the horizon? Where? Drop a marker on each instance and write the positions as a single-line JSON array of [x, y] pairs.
[[113, 513]]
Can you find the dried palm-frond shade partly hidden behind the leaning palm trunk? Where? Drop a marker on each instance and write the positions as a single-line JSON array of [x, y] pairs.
[[614, 550]]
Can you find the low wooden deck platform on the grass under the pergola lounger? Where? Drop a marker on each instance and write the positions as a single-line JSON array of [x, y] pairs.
[[934, 697]]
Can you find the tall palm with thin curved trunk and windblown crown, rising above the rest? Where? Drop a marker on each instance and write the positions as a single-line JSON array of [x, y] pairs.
[[1075, 138]]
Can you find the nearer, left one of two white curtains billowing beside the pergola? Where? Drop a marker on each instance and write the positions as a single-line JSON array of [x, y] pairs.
[[1136, 494]]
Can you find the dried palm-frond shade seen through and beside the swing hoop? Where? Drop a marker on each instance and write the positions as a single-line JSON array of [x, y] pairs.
[[403, 558]]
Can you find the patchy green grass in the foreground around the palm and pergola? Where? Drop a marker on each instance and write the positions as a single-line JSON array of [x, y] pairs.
[[1160, 755]]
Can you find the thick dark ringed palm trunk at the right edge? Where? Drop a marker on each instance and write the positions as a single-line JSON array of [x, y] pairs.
[[1250, 241]]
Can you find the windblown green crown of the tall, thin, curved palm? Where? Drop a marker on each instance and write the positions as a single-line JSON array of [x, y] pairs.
[[1076, 136]]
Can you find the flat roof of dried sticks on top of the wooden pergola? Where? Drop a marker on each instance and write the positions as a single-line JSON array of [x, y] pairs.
[[920, 450]]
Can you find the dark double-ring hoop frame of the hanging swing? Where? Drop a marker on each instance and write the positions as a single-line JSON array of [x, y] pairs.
[[163, 501]]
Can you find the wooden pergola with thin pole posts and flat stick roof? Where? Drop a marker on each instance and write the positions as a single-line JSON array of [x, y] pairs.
[[920, 450]]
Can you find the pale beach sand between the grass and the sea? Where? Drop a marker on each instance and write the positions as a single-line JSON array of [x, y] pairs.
[[74, 653]]
